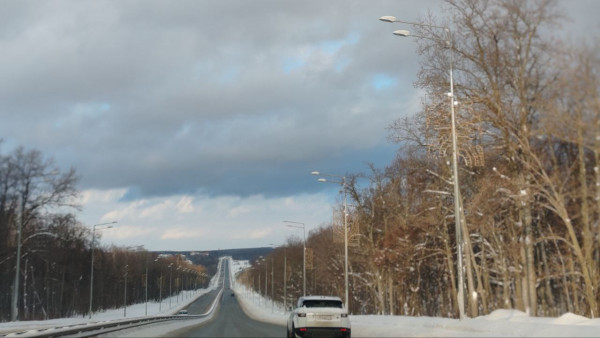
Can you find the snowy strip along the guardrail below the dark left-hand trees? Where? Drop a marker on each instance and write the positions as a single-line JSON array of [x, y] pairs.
[[168, 306]]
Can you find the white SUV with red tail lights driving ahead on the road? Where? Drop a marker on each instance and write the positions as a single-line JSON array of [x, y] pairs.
[[318, 316]]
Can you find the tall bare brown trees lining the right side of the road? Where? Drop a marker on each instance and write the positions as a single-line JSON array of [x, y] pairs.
[[527, 108]]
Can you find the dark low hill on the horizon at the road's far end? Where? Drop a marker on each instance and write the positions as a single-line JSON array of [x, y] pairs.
[[210, 258]]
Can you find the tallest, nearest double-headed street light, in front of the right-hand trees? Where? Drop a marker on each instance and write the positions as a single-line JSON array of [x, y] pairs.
[[457, 216]]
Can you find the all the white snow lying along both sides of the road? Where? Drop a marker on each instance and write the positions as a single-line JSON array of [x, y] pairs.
[[506, 323]]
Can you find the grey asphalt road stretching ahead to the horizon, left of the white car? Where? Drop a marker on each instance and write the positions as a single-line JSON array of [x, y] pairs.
[[229, 319]]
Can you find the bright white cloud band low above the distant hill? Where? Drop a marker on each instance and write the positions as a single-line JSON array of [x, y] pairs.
[[184, 222]]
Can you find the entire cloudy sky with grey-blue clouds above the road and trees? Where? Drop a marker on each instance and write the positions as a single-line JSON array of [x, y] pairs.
[[196, 124]]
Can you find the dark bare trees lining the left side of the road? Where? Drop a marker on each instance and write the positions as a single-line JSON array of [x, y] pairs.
[[53, 253]]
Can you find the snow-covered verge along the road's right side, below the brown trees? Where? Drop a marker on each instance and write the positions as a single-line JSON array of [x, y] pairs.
[[506, 323]]
